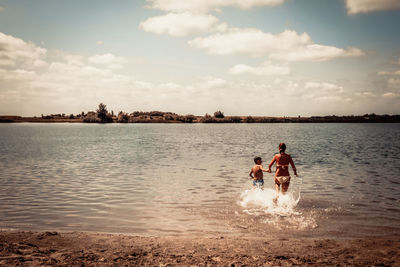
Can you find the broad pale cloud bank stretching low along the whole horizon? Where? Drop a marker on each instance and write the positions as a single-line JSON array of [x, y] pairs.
[[62, 82]]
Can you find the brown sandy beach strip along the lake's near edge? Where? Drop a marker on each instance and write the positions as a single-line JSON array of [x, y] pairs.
[[77, 248]]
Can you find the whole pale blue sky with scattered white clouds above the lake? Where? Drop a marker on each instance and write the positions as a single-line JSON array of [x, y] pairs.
[[243, 57]]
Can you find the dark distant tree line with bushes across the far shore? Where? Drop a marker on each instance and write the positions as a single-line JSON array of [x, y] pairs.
[[102, 115]]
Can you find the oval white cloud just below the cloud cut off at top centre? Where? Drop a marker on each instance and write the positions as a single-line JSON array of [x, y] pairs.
[[179, 24]]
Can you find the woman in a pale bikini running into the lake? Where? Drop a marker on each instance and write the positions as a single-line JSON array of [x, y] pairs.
[[282, 175]]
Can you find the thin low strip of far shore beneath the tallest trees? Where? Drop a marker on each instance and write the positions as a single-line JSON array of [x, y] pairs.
[[203, 119]]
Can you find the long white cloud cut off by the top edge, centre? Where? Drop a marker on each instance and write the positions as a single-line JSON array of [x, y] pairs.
[[203, 6]]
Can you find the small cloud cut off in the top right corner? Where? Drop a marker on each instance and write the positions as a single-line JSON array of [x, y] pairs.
[[366, 6]]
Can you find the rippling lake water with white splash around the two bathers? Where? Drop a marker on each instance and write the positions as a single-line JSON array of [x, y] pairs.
[[178, 179]]
